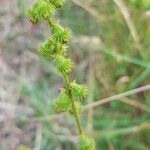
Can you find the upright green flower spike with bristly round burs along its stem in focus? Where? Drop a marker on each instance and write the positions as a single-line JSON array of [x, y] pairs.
[[55, 48]]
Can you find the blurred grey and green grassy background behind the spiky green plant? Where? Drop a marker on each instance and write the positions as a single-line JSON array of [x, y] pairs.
[[111, 50]]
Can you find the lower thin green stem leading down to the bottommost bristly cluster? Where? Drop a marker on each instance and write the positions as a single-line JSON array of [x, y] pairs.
[[66, 80]]
